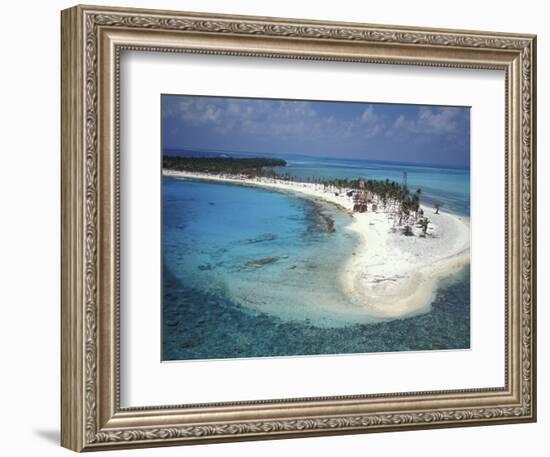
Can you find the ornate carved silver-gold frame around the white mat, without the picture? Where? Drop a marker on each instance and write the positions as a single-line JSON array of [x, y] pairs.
[[92, 40]]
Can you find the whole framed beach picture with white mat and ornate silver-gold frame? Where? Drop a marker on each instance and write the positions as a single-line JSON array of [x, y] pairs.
[[283, 228]]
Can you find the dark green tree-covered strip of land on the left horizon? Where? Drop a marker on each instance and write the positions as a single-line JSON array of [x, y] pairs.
[[249, 167]]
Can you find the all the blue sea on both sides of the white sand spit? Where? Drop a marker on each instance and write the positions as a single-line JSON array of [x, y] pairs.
[[249, 272]]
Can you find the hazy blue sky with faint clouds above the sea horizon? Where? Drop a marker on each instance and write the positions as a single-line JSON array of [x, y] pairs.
[[391, 132]]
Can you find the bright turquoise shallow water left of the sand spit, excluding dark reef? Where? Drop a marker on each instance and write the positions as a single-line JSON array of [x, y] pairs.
[[268, 251]]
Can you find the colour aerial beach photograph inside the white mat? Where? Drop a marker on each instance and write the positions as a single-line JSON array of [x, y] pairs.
[[301, 227]]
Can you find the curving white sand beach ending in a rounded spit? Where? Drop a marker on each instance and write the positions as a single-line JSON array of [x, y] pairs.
[[390, 275]]
